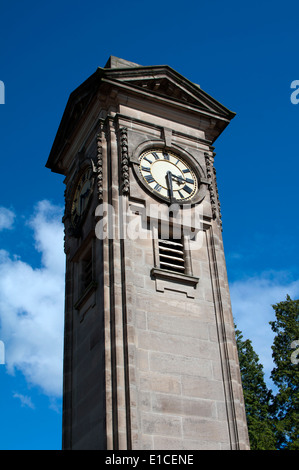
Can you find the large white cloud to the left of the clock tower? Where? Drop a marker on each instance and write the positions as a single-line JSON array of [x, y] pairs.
[[32, 305]]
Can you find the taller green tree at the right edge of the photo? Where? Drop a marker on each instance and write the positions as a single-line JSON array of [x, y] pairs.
[[285, 374]]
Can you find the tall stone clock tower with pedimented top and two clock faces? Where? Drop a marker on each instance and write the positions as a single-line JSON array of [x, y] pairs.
[[150, 359]]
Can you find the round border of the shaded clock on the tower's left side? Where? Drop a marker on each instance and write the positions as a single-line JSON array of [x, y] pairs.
[[76, 225]]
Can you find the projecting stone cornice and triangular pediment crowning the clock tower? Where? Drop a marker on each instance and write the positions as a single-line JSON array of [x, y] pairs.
[[160, 83]]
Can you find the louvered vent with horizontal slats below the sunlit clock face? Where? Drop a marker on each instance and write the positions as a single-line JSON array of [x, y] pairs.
[[171, 255]]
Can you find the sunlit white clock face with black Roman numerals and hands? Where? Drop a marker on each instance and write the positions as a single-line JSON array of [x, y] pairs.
[[168, 175]]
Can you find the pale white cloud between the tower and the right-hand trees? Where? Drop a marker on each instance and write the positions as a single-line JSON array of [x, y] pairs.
[[252, 301]]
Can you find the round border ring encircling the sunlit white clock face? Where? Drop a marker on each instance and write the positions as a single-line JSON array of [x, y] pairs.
[[189, 163]]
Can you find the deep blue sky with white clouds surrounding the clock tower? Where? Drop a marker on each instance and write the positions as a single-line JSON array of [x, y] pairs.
[[245, 54]]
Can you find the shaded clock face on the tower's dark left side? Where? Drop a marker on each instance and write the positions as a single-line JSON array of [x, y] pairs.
[[81, 197]]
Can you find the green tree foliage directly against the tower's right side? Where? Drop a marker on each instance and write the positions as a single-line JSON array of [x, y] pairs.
[[257, 397]]
